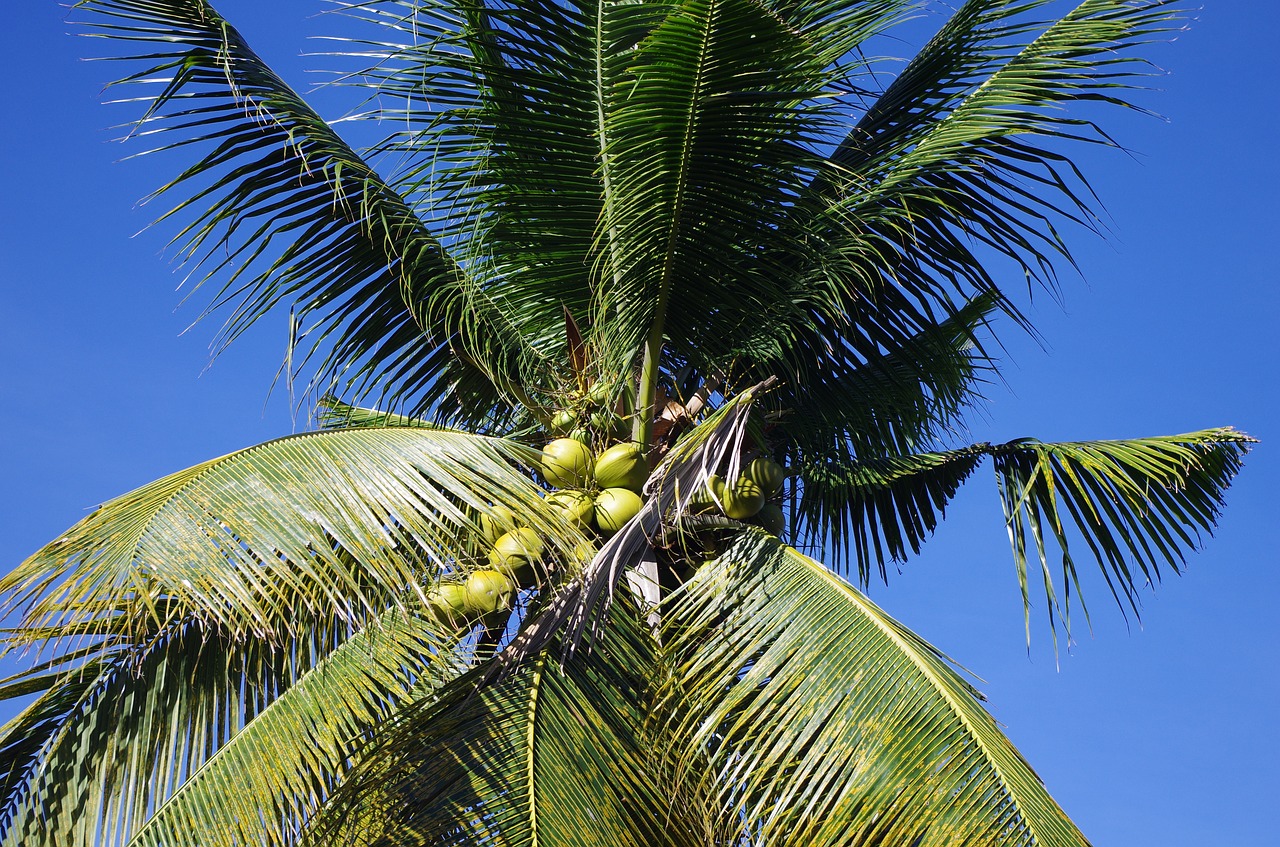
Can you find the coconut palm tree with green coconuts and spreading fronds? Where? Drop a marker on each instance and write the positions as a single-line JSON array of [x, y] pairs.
[[721, 236]]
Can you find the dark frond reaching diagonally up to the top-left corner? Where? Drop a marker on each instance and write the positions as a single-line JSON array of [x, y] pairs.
[[295, 217]]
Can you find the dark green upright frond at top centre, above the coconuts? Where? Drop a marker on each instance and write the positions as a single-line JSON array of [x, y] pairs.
[[707, 139]]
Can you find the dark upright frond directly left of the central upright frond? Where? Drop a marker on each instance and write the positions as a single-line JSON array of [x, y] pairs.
[[499, 146]]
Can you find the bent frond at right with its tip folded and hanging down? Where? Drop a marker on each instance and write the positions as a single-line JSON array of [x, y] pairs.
[[1136, 505]]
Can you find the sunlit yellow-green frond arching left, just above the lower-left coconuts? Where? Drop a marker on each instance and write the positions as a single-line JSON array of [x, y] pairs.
[[344, 521]]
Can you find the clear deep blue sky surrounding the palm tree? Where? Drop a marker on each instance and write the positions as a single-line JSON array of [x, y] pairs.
[[1163, 735]]
